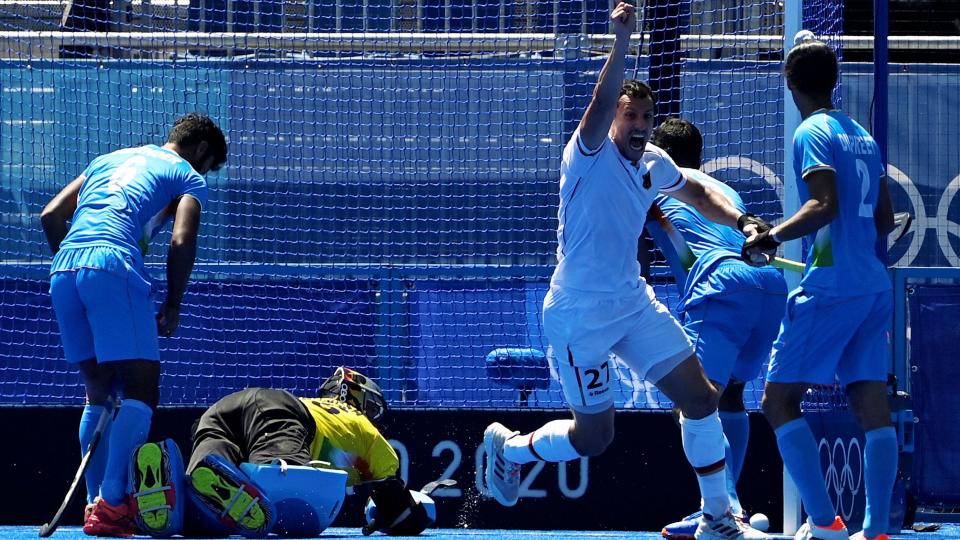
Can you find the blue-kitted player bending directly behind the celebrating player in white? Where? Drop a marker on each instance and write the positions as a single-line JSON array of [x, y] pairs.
[[731, 311]]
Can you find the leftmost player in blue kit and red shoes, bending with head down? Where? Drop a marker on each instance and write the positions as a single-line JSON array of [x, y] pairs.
[[98, 228]]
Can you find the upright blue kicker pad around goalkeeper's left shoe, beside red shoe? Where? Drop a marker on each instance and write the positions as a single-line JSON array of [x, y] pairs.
[[171, 486]]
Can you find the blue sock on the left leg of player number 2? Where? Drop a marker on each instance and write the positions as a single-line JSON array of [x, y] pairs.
[[800, 457]]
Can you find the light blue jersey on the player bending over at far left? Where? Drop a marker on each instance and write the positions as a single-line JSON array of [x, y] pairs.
[[125, 199]]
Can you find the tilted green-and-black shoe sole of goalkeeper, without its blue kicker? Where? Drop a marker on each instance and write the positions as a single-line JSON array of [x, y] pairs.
[[230, 498]]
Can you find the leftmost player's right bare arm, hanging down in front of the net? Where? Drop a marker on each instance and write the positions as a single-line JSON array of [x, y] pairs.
[[180, 259]]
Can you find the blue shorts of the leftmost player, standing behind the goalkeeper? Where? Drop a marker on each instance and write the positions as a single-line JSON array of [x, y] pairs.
[[107, 315]]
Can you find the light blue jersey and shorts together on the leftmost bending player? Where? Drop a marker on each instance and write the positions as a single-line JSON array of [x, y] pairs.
[[101, 292]]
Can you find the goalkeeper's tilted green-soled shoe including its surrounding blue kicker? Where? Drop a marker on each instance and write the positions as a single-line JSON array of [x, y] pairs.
[[238, 503]]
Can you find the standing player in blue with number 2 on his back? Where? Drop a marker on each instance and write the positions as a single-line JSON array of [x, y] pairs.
[[836, 321]]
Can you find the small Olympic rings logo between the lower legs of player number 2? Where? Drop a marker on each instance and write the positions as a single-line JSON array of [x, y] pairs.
[[842, 474]]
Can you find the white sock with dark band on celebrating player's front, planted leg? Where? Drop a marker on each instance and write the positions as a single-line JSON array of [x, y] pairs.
[[704, 446]]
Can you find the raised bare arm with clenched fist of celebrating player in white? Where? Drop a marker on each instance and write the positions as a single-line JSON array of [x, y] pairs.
[[603, 107]]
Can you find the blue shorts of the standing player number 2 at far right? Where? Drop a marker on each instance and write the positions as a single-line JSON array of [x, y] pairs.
[[824, 338]]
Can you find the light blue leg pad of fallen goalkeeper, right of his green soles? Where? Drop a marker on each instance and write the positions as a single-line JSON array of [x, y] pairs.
[[308, 499]]
